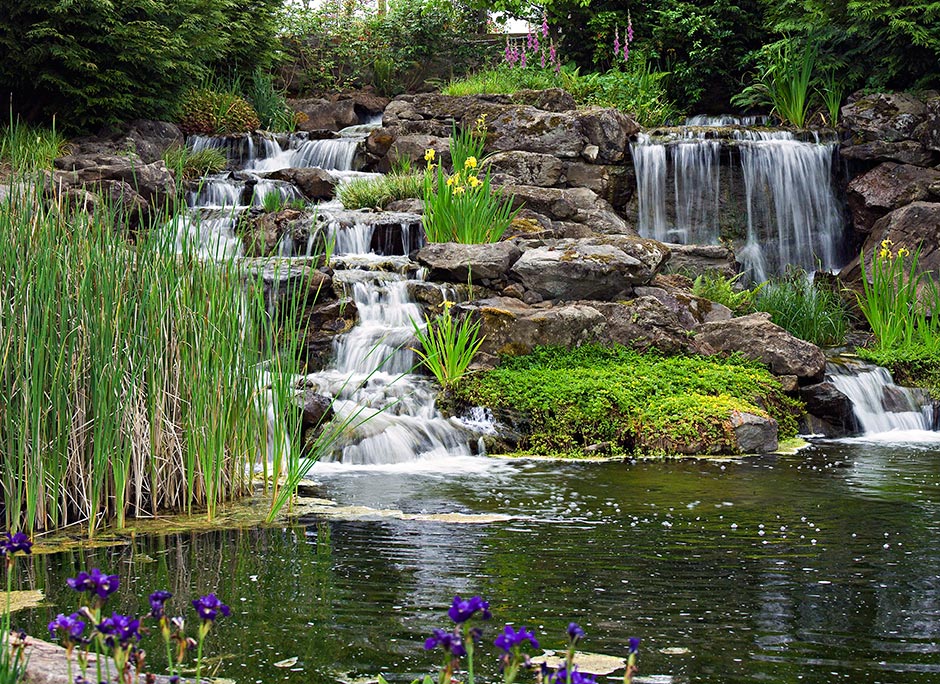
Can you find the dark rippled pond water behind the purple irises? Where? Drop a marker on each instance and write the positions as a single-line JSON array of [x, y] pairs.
[[818, 567]]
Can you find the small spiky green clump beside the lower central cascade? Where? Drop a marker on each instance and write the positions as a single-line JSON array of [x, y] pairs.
[[447, 346]]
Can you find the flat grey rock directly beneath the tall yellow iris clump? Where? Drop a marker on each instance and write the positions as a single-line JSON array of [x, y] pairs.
[[456, 263]]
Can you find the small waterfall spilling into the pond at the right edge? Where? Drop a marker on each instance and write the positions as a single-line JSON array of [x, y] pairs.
[[879, 405]]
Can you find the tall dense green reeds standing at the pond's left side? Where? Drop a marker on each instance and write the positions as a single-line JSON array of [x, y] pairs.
[[135, 378]]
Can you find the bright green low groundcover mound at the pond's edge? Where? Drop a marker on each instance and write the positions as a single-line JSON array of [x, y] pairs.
[[638, 403]]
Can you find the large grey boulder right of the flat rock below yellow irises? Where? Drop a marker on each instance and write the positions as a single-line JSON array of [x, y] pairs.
[[590, 268]]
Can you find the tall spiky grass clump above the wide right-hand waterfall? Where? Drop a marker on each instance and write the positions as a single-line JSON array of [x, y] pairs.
[[785, 82]]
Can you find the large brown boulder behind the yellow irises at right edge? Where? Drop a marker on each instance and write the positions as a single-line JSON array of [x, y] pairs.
[[911, 226]]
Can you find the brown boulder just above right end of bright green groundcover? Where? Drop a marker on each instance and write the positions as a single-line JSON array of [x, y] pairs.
[[755, 337]]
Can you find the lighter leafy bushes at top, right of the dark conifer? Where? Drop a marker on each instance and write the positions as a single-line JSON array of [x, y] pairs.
[[343, 45]]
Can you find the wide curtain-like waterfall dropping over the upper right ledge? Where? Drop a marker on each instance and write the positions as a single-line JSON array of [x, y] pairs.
[[771, 190]]
